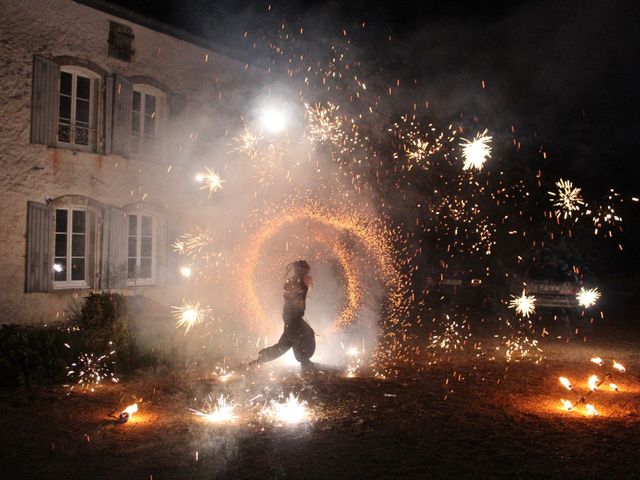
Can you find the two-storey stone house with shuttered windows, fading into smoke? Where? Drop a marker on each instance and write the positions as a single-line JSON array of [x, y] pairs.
[[103, 115]]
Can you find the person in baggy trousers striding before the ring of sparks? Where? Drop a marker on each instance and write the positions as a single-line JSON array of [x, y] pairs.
[[297, 332]]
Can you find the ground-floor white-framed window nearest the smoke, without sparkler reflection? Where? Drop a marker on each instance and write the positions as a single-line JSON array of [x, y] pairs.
[[141, 257]]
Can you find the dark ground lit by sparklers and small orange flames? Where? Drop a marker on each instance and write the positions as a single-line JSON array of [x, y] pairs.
[[463, 418]]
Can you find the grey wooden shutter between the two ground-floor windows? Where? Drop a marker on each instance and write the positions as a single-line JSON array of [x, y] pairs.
[[114, 249]]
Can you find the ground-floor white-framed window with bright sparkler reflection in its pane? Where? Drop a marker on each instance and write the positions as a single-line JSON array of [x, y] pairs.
[[70, 261]]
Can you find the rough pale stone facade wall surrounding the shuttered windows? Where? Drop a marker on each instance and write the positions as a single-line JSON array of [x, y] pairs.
[[211, 85]]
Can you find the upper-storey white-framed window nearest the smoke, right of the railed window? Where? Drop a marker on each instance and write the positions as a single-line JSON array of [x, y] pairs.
[[146, 119]]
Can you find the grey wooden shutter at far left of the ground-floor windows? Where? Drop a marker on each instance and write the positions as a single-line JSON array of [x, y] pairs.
[[39, 260]]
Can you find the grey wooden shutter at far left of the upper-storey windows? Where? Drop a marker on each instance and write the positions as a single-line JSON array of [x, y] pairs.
[[44, 100]]
